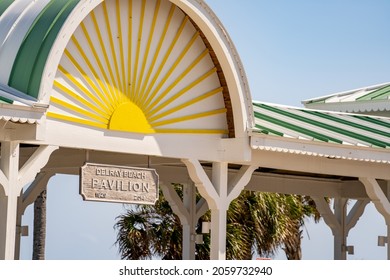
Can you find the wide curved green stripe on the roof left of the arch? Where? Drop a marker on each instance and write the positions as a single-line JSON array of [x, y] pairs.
[[31, 59]]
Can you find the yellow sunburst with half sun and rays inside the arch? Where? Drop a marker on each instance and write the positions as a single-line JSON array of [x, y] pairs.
[[142, 68]]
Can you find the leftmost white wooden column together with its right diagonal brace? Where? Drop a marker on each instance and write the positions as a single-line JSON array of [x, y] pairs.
[[12, 180]]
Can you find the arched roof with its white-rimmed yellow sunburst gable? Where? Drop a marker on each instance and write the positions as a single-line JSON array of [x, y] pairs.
[[173, 62]]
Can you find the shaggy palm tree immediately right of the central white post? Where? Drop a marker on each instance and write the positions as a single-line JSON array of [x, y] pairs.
[[255, 225]]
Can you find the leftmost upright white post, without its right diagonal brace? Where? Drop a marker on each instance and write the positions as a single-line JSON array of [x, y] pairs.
[[9, 166]]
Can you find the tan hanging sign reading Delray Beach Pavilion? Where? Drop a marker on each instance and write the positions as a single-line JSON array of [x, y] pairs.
[[123, 184]]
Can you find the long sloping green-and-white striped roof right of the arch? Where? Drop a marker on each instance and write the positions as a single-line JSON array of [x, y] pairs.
[[322, 126]]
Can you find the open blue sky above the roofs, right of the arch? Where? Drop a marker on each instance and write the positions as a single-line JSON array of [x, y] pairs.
[[294, 50]]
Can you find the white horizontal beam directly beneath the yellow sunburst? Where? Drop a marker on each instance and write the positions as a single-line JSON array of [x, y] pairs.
[[203, 147]]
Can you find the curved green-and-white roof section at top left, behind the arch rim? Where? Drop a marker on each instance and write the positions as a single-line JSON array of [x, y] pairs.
[[28, 31]]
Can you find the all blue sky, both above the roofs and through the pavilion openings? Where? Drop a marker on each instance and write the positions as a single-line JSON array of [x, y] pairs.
[[291, 51]]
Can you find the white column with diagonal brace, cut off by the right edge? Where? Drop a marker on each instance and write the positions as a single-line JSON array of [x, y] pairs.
[[381, 202]]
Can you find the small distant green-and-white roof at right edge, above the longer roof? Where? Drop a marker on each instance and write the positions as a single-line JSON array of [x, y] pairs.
[[369, 100]]
